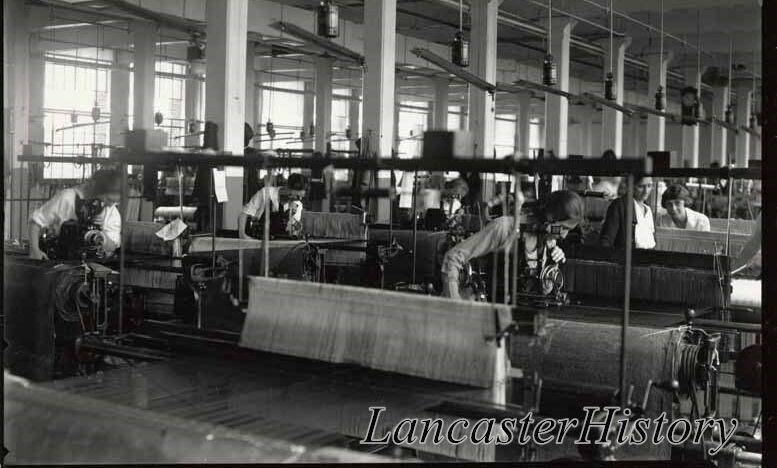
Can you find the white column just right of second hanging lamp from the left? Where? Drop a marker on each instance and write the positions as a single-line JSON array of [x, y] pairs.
[[483, 64]]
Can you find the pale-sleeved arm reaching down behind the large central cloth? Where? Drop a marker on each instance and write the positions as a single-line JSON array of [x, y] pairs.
[[494, 236]]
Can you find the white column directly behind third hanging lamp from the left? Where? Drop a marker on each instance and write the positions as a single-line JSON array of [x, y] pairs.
[[557, 107]]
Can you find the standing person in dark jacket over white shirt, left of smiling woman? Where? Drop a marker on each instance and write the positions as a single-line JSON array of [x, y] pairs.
[[614, 227]]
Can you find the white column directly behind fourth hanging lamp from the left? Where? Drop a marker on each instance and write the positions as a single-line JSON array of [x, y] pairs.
[[612, 120]]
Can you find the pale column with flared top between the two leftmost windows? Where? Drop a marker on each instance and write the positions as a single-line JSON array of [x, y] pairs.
[[144, 38]]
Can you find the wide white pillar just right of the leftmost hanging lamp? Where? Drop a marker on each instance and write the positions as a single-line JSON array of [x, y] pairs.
[[380, 20]]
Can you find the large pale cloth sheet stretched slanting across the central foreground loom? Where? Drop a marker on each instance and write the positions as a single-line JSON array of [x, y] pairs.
[[434, 338]]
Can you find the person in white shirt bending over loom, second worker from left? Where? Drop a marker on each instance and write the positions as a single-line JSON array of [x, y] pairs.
[[281, 199]]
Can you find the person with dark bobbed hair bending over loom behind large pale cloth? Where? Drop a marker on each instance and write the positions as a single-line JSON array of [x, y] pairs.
[[562, 208]]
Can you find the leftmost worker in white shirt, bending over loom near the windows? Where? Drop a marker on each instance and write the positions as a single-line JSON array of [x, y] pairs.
[[104, 186]]
